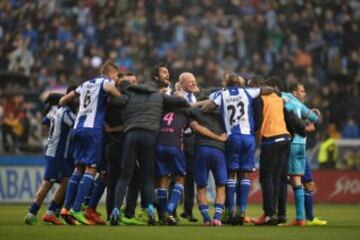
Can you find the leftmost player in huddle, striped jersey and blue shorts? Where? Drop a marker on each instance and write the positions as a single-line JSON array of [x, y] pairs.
[[58, 168]]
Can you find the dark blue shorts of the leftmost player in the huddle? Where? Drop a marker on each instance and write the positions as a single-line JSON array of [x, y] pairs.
[[56, 169]]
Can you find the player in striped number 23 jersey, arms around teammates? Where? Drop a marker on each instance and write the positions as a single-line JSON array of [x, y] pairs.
[[235, 103]]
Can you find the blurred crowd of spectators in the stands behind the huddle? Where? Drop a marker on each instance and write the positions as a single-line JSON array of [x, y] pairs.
[[54, 43]]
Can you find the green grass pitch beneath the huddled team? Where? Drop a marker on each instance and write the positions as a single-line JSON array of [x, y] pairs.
[[344, 223]]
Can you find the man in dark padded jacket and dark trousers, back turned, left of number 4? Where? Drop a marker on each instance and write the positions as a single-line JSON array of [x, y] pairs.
[[142, 110]]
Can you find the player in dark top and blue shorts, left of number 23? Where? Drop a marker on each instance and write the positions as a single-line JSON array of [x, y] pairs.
[[209, 156]]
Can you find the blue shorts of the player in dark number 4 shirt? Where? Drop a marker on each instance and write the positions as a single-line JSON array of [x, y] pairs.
[[169, 160]]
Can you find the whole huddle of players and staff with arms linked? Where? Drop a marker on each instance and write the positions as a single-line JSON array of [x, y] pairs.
[[114, 133]]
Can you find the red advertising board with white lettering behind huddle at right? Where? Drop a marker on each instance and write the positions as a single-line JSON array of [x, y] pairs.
[[332, 186]]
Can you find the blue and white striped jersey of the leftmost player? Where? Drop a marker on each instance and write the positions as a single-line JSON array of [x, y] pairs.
[[61, 121]]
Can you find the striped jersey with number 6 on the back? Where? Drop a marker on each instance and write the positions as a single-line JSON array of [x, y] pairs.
[[92, 103]]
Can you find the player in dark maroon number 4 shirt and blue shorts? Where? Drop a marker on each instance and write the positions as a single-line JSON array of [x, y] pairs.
[[170, 159]]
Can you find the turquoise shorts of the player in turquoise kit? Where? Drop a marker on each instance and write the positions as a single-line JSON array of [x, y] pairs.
[[297, 159]]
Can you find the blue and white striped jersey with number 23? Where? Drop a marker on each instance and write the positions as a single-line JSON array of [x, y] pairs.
[[236, 107]]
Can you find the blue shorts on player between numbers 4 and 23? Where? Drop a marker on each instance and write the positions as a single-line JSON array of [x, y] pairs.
[[209, 159]]
